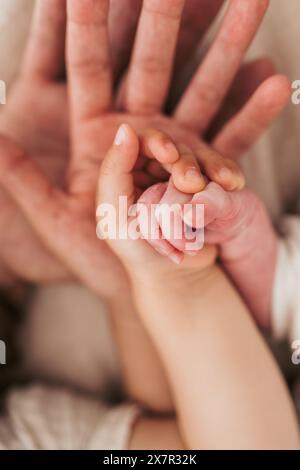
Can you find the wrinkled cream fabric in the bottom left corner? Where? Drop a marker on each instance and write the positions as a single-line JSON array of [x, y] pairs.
[[41, 417]]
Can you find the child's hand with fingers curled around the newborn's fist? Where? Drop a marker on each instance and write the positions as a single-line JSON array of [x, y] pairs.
[[117, 186]]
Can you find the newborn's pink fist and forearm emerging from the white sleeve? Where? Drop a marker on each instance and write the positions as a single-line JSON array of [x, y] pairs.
[[235, 221]]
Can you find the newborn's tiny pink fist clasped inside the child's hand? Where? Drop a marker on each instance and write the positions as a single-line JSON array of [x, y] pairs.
[[225, 218]]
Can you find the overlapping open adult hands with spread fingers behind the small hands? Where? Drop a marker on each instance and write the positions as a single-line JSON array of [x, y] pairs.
[[62, 242]]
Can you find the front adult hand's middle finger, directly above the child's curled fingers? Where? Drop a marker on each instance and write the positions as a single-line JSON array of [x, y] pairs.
[[152, 60]]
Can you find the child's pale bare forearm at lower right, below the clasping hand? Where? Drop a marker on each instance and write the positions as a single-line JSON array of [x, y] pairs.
[[227, 389]]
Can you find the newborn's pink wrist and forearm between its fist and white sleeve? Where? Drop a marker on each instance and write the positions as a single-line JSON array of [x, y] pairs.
[[249, 259]]
